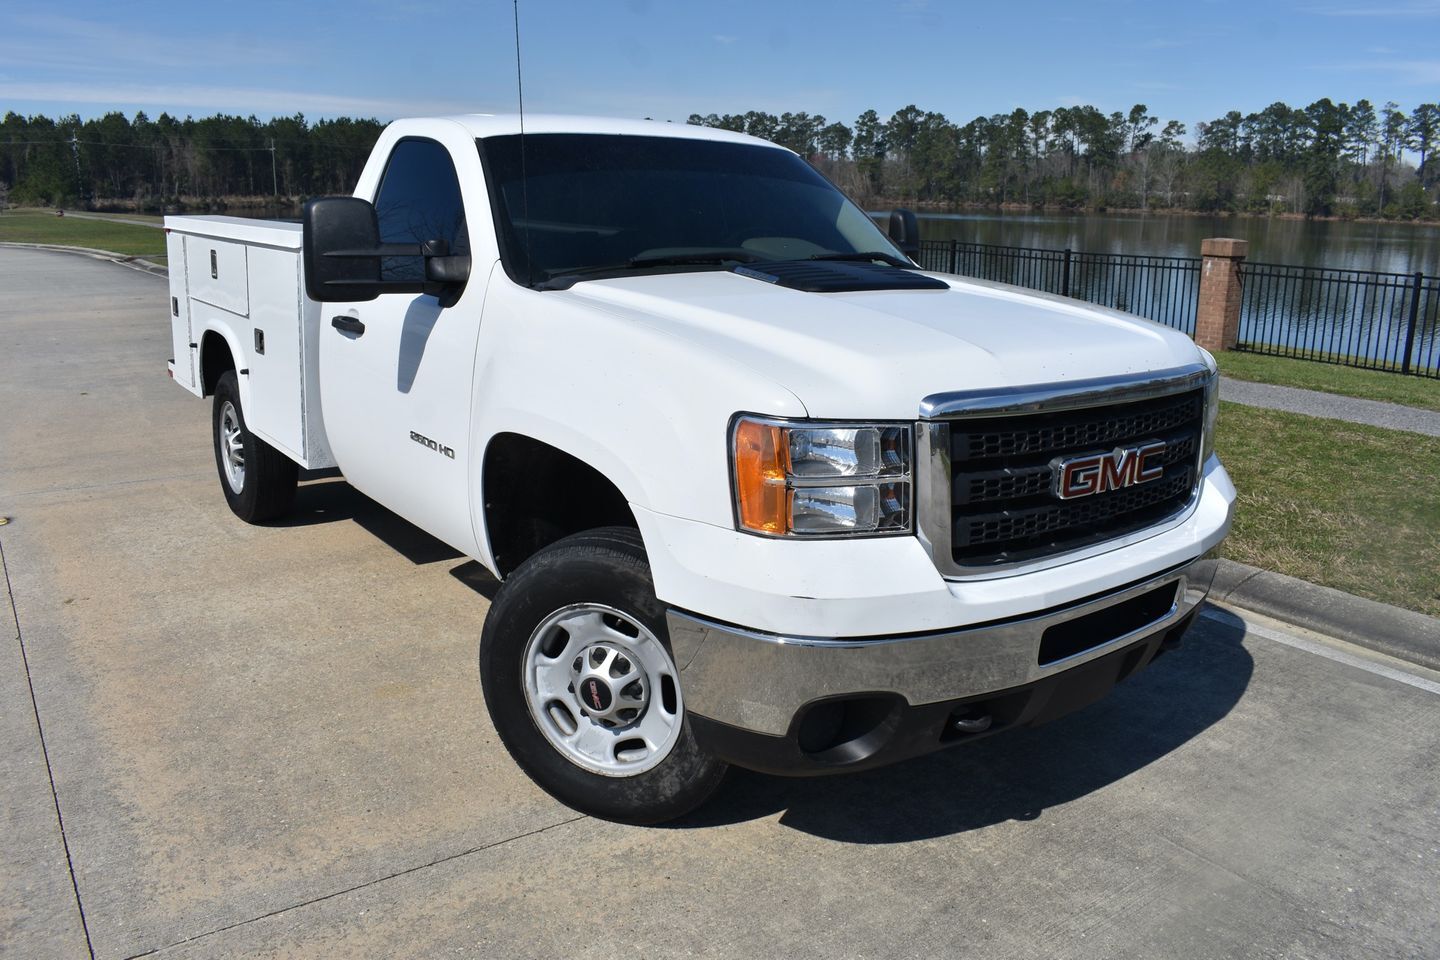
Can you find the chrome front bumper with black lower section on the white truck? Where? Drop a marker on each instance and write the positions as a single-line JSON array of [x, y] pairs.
[[794, 705]]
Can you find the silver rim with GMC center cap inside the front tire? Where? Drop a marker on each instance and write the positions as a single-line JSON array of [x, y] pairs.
[[603, 690]]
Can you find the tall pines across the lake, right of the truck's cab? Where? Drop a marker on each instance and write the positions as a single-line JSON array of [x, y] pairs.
[[1326, 159]]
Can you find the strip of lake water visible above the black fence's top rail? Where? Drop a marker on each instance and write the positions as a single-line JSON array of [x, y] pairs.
[[1399, 248]]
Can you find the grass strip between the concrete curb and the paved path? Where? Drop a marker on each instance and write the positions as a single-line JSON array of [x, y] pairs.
[[1347, 506]]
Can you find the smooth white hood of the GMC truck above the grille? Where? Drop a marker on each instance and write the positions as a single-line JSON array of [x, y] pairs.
[[876, 355]]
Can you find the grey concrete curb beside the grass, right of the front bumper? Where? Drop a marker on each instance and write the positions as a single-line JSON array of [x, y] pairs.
[[1377, 627]]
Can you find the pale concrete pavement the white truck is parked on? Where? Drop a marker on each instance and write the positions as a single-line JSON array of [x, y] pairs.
[[224, 741]]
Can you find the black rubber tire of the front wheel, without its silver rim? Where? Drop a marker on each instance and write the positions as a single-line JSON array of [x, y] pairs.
[[604, 568]]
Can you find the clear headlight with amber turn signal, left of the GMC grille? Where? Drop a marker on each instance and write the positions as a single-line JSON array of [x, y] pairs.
[[798, 480]]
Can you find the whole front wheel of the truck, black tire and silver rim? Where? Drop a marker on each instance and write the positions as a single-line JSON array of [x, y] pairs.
[[582, 689]]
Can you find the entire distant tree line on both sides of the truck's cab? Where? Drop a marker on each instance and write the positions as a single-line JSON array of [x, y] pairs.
[[1324, 159]]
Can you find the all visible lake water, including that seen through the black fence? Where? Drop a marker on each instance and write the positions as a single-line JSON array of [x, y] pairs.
[[1363, 319]]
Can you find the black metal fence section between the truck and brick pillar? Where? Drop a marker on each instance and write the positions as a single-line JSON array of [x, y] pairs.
[[1160, 289]]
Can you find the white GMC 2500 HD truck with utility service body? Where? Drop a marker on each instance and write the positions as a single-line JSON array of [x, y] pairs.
[[761, 492]]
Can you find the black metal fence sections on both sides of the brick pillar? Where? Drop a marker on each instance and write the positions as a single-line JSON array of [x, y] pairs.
[[1360, 319]]
